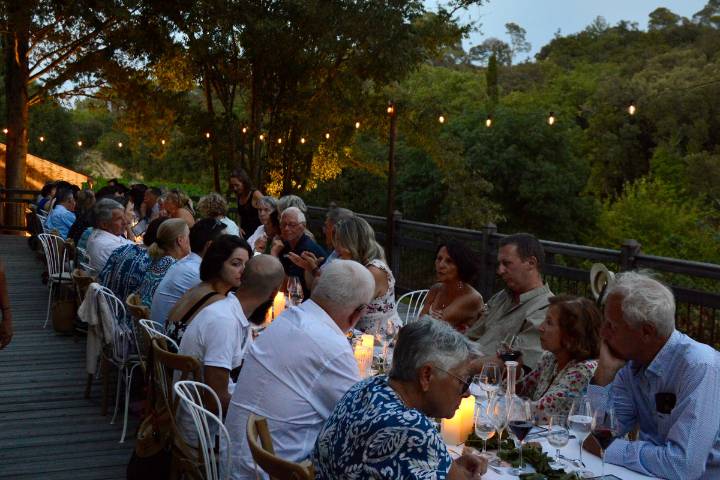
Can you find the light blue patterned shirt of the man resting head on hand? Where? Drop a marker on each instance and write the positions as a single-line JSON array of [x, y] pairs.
[[679, 439]]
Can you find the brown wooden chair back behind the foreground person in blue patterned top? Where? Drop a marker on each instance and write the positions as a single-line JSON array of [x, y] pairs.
[[264, 454]]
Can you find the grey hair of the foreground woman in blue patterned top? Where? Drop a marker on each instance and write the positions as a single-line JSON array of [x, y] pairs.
[[428, 341]]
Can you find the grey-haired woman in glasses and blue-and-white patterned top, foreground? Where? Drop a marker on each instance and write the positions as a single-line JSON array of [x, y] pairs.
[[382, 427]]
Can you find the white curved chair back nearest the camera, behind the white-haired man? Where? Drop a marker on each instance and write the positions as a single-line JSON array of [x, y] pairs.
[[199, 400]]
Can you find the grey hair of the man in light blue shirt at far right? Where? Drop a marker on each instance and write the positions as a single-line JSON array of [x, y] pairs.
[[645, 300]]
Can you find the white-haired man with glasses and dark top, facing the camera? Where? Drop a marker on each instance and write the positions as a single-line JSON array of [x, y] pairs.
[[295, 240]]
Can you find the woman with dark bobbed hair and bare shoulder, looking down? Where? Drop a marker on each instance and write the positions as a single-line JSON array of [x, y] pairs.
[[220, 271]]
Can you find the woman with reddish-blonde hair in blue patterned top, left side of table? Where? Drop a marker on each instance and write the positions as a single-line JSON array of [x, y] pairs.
[[171, 244]]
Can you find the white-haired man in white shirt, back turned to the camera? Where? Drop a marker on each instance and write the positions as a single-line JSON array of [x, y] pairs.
[[297, 369]]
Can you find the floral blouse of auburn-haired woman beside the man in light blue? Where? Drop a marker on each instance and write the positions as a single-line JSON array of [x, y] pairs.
[[551, 391]]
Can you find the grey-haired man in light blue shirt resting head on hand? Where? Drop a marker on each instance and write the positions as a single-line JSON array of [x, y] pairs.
[[669, 387]]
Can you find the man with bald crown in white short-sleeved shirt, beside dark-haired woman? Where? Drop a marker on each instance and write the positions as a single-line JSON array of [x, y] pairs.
[[219, 335]]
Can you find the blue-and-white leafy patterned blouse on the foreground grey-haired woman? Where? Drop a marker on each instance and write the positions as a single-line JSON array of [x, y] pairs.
[[371, 434]]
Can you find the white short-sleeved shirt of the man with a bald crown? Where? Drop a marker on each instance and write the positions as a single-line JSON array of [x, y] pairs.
[[218, 337]]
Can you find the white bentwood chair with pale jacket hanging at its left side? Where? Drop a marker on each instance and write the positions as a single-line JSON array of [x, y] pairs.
[[121, 354]]
